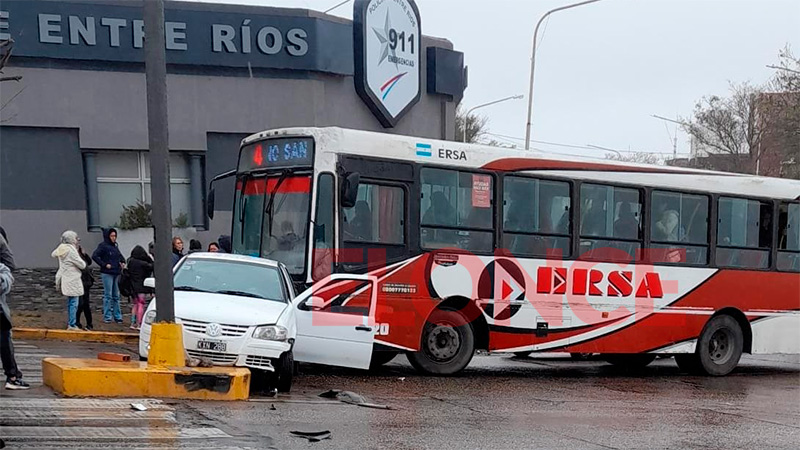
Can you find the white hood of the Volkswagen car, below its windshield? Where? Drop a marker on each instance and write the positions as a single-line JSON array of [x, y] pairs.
[[226, 309]]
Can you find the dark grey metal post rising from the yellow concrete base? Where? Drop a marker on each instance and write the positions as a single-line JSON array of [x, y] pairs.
[[158, 133]]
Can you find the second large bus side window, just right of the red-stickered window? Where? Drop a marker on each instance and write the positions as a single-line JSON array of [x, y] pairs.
[[536, 217]]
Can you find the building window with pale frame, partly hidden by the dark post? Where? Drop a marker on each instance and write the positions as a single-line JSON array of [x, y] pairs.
[[123, 179]]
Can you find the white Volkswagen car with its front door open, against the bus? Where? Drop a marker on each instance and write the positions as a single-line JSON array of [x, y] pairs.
[[242, 311]]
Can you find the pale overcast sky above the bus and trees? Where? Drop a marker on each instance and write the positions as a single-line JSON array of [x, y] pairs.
[[603, 69]]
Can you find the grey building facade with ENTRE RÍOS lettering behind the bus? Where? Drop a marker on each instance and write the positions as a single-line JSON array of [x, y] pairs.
[[73, 131]]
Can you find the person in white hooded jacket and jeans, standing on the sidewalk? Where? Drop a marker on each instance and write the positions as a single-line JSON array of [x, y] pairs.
[[68, 277]]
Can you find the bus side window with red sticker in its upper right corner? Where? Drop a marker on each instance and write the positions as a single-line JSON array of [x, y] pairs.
[[457, 210]]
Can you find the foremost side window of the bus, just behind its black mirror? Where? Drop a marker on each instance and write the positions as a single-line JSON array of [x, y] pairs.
[[378, 216]]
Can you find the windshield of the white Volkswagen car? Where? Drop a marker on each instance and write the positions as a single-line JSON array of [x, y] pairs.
[[230, 277]]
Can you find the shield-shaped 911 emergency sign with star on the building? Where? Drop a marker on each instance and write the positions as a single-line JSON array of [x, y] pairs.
[[387, 38]]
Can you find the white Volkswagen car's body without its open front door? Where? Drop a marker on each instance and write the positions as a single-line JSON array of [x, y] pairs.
[[235, 311]]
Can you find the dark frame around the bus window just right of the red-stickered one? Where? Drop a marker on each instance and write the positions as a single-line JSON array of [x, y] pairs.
[[500, 214]]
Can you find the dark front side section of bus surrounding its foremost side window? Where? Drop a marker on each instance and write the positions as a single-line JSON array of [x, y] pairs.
[[374, 232]]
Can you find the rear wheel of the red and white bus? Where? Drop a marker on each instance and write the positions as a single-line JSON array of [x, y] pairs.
[[720, 346]]
